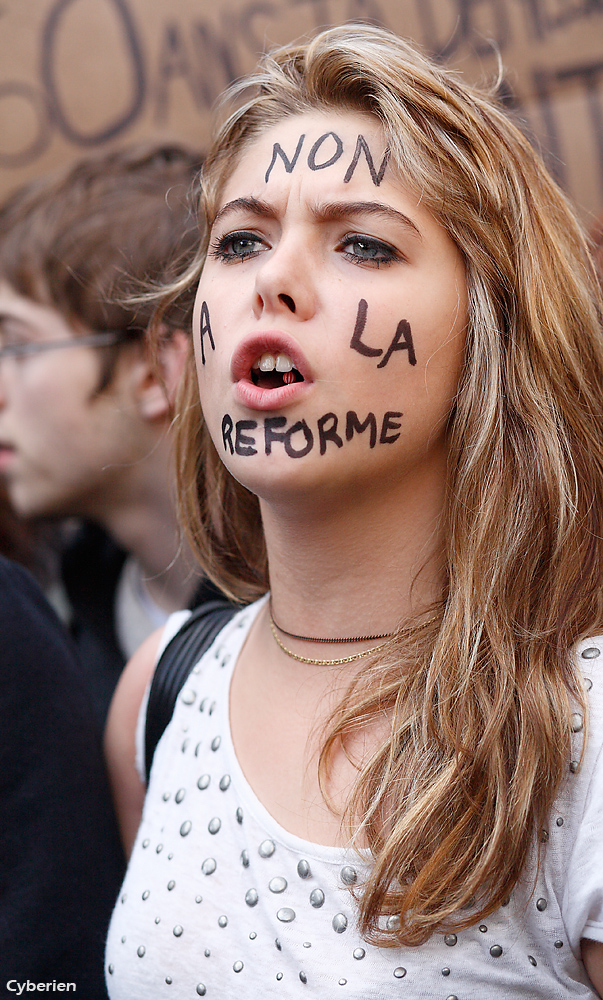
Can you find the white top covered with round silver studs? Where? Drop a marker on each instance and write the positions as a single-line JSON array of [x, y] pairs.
[[221, 901]]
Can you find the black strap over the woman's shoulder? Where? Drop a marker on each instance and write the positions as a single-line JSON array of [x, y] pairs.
[[175, 664]]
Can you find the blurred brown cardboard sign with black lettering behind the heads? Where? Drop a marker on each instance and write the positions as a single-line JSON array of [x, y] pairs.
[[79, 75]]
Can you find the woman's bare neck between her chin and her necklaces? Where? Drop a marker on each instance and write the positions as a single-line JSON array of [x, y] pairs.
[[358, 569]]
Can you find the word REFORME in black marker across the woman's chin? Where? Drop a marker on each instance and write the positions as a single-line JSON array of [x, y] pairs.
[[298, 439]]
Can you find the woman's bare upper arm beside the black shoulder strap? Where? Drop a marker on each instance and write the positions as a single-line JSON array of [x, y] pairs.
[[120, 748]]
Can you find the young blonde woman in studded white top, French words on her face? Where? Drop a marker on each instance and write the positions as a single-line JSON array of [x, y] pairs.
[[382, 779]]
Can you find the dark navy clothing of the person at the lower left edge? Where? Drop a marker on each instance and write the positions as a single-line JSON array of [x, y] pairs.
[[61, 860]]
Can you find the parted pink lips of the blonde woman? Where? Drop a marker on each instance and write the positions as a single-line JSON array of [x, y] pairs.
[[248, 351]]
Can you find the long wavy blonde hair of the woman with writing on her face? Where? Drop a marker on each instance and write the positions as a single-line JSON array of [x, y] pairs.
[[480, 700]]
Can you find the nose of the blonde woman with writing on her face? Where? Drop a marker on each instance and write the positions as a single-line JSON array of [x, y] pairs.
[[285, 281]]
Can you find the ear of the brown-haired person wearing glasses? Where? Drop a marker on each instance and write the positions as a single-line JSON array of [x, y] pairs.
[[159, 377]]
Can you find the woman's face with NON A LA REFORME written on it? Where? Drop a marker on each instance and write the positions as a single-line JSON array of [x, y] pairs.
[[330, 316]]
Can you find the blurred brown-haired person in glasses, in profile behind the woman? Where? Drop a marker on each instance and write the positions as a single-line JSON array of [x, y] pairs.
[[85, 405]]
